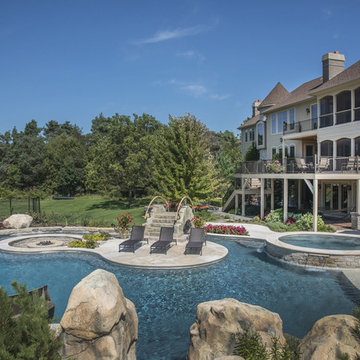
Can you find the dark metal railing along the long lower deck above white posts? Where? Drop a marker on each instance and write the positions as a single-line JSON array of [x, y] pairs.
[[308, 164]]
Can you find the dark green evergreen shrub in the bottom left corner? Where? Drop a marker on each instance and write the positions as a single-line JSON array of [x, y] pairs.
[[27, 335]]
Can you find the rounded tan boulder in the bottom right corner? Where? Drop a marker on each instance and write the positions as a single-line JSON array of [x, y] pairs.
[[330, 337]]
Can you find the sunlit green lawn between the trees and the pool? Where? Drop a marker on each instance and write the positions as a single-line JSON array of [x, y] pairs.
[[93, 210]]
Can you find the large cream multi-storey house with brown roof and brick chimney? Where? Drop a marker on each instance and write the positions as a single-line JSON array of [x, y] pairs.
[[314, 133]]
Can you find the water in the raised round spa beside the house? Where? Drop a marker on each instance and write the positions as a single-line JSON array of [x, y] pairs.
[[329, 242]]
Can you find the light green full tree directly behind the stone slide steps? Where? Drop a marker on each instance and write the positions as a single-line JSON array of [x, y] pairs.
[[183, 162]]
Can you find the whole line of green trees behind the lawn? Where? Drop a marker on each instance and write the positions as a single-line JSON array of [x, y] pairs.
[[121, 156]]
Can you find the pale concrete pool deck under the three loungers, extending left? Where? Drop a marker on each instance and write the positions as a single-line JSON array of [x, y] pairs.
[[109, 249]]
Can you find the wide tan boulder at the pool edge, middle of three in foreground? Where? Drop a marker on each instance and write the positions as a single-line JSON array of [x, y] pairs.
[[219, 323]]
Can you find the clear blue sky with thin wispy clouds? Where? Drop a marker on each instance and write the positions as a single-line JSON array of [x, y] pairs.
[[70, 60]]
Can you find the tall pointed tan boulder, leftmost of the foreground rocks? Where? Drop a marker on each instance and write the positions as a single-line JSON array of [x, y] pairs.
[[99, 322]]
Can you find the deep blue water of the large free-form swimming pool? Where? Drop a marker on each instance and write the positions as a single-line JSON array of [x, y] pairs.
[[166, 300]]
